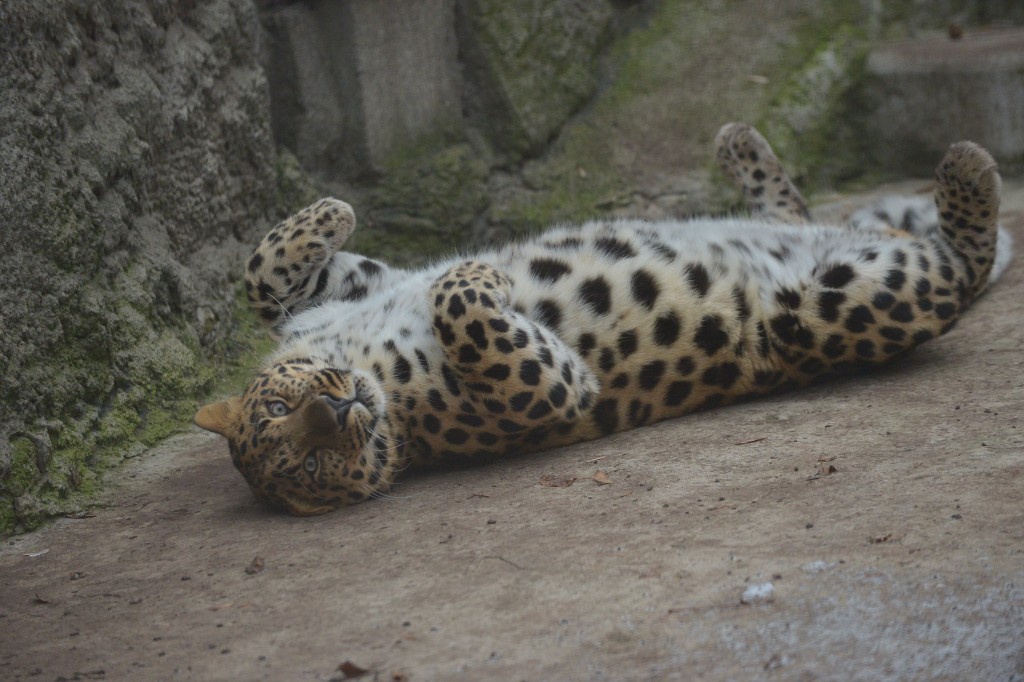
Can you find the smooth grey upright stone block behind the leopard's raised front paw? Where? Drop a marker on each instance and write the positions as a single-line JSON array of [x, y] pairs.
[[358, 81]]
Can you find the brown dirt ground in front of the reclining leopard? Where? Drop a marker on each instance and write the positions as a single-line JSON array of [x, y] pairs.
[[886, 513]]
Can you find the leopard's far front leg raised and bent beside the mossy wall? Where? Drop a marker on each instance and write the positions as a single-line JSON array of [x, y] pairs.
[[300, 264]]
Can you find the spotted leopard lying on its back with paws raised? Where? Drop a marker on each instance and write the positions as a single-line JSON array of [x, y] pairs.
[[583, 331]]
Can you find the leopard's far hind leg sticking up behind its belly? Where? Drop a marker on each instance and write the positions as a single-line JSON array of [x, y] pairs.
[[748, 159]]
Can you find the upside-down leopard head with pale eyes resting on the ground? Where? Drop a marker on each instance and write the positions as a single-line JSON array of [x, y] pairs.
[[308, 441]]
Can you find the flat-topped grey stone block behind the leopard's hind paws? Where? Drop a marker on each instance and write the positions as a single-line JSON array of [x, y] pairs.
[[929, 92]]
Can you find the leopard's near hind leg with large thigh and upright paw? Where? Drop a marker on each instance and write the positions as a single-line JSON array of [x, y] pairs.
[[880, 295]]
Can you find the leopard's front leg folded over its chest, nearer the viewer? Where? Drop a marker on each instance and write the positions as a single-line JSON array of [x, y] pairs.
[[519, 369]]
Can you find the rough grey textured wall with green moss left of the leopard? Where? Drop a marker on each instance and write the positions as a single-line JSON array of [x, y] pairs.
[[136, 157]]
